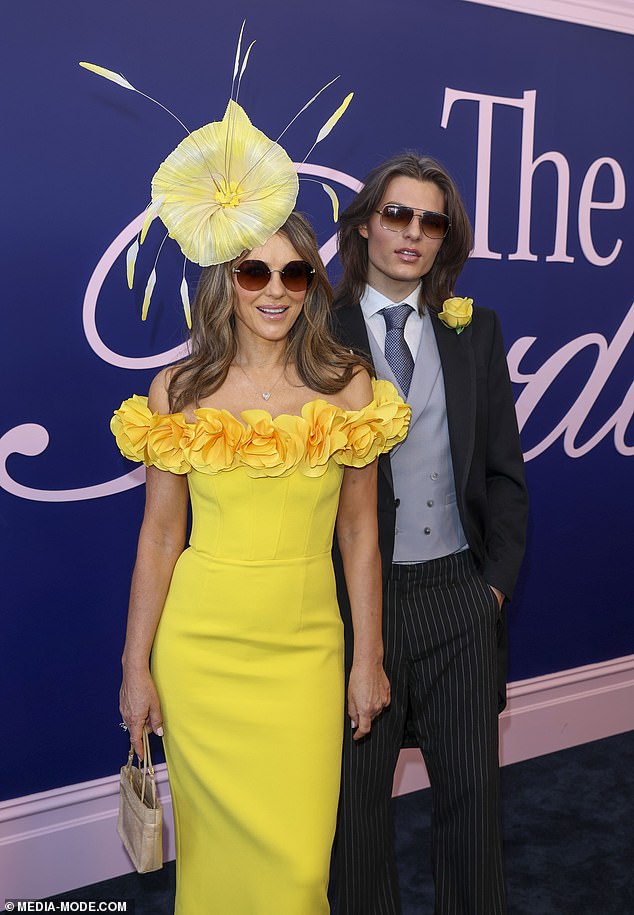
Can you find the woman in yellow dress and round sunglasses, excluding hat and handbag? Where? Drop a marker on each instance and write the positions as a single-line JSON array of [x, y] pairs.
[[272, 431]]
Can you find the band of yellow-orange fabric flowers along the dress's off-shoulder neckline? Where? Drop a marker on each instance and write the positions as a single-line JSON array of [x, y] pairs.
[[263, 445]]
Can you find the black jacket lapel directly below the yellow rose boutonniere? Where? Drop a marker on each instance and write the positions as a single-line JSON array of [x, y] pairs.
[[459, 373]]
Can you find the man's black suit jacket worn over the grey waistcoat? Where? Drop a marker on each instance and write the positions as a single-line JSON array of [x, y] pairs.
[[485, 449]]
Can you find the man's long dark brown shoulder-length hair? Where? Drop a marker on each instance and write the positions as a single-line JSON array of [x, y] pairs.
[[438, 284]]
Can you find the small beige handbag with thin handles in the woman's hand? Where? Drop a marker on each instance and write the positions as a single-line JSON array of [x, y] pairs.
[[140, 823]]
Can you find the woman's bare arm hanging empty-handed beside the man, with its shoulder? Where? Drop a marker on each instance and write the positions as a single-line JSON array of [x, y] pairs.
[[357, 535]]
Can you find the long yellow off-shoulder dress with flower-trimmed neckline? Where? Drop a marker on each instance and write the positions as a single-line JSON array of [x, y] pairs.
[[248, 655]]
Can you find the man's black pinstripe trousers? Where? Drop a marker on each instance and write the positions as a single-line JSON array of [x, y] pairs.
[[440, 622]]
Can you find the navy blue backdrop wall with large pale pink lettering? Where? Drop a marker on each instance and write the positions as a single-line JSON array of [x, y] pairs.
[[487, 92]]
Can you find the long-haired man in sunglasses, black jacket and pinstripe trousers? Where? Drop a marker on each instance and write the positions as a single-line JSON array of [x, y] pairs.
[[452, 519]]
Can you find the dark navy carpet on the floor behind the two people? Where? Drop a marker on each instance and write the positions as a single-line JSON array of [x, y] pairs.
[[569, 840]]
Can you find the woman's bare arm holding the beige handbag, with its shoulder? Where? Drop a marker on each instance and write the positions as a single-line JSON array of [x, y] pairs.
[[161, 542]]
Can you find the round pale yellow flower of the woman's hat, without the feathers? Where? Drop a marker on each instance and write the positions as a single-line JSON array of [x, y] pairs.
[[217, 205]]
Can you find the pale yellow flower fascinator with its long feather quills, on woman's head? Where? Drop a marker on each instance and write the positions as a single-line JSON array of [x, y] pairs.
[[226, 187]]
